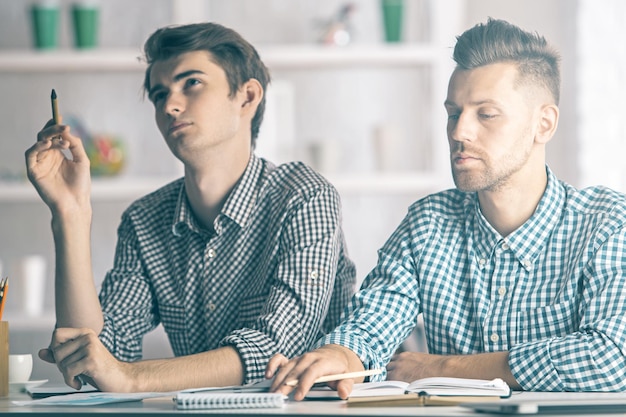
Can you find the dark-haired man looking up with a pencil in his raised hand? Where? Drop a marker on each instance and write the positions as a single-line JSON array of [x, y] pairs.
[[238, 260]]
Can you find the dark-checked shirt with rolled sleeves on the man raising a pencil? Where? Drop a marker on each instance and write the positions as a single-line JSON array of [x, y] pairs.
[[274, 276]]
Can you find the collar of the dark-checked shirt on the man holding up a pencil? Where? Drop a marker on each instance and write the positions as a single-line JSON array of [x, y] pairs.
[[239, 204]]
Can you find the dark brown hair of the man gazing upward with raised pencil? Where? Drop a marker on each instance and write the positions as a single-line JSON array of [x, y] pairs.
[[237, 57]]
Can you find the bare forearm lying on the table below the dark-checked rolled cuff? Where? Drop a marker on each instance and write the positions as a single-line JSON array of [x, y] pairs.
[[219, 367]]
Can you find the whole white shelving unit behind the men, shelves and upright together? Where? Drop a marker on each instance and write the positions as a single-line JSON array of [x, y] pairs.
[[443, 21]]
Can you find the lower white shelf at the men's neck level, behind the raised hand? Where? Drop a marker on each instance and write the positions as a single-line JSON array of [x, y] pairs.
[[124, 188]]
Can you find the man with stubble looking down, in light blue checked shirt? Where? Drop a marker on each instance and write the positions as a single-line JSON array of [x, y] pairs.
[[518, 275]]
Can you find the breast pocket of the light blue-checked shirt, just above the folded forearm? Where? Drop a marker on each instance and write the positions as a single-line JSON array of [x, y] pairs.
[[555, 320]]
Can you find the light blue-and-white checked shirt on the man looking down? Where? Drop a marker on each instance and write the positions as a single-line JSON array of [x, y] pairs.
[[553, 292]]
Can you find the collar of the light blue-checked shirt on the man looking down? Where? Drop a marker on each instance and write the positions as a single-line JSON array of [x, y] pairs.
[[528, 241]]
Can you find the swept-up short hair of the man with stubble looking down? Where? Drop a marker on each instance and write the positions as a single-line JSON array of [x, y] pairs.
[[499, 41]]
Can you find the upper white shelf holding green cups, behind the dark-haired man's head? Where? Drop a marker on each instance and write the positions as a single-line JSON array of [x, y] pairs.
[[276, 57]]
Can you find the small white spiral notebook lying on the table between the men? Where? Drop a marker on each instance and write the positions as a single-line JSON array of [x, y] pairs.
[[224, 400]]
